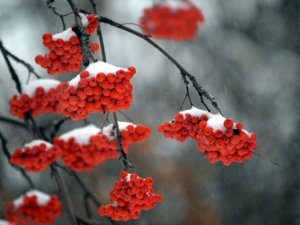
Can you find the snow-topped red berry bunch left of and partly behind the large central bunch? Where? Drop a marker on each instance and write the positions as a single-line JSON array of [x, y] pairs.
[[38, 97]]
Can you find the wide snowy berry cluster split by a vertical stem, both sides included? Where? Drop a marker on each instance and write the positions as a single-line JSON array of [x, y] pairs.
[[89, 146]]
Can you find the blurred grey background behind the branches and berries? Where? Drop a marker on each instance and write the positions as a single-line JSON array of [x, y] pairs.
[[246, 55]]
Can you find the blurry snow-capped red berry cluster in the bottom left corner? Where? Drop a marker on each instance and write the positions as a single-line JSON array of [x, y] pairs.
[[34, 207]]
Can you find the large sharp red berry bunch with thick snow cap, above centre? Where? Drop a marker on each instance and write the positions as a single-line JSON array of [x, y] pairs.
[[100, 87]]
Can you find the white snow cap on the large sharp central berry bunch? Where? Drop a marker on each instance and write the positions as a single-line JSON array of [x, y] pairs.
[[94, 69]]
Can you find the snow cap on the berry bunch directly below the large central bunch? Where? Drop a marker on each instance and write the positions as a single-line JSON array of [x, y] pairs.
[[81, 135]]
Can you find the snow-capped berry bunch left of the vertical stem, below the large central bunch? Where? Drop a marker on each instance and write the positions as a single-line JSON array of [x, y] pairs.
[[85, 147]]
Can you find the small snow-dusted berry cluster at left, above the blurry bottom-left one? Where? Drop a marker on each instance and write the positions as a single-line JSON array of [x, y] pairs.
[[36, 156]]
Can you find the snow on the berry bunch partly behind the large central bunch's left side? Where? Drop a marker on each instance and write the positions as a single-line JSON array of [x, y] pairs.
[[47, 84]]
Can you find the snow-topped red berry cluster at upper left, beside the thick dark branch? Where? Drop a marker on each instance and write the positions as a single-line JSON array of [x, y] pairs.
[[64, 48]]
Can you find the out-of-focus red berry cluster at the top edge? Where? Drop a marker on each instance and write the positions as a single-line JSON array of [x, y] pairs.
[[173, 20]]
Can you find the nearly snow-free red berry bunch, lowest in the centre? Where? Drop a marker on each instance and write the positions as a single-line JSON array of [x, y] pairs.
[[130, 195]]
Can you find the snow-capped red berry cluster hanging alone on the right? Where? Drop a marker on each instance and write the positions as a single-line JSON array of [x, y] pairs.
[[219, 138]]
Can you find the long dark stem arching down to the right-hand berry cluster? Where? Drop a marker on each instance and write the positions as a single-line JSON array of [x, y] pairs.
[[200, 90]]
